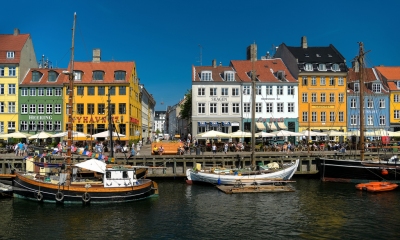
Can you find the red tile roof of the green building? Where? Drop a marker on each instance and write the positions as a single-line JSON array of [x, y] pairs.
[[43, 81]]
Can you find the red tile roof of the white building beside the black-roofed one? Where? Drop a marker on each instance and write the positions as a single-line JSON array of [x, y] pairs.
[[266, 70]]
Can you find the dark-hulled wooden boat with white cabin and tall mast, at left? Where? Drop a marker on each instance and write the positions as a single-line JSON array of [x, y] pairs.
[[116, 183]]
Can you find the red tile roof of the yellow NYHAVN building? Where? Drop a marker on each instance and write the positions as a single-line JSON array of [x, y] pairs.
[[107, 67]]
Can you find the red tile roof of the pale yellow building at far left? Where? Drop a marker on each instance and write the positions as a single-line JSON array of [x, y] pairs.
[[12, 43]]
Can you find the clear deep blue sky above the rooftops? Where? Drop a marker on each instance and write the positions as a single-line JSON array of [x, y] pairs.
[[166, 38]]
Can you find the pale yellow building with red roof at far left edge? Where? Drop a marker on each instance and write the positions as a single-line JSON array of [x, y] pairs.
[[16, 57]]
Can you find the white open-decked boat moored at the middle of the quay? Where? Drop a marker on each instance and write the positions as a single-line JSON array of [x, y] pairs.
[[231, 177]]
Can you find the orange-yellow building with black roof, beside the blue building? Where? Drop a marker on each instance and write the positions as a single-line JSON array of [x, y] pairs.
[[322, 77]]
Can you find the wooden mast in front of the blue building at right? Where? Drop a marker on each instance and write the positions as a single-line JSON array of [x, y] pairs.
[[361, 77]]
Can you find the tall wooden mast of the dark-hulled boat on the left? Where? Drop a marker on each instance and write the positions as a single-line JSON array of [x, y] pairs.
[[70, 103]]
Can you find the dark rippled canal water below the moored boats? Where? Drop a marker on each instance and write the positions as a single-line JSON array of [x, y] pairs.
[[316, 210]]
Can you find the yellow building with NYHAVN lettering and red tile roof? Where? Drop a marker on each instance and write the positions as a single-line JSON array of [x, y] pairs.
[[94, 83]]
